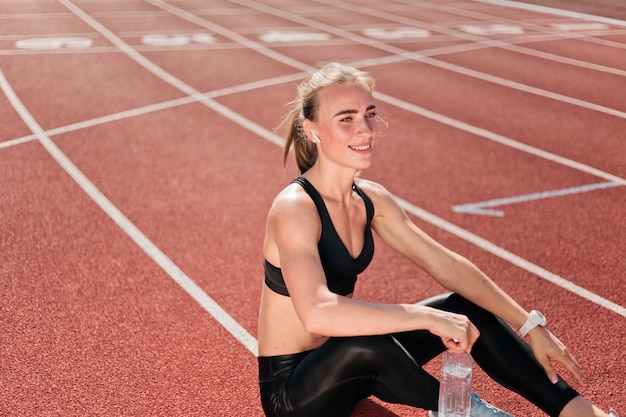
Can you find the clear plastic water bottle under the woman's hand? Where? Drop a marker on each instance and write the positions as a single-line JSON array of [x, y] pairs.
[[456, 385]]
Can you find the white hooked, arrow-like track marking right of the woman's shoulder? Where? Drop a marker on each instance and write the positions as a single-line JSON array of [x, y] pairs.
[[483, 207]]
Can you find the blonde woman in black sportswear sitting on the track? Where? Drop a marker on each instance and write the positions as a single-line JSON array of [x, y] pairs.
[[320, 350]]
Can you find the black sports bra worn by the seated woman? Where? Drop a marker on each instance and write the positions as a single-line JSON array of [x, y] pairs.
[[340, 267]]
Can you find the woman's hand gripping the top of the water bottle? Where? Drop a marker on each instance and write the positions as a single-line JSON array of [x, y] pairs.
[[456, 331]]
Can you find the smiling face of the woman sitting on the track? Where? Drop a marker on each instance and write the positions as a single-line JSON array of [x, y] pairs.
[[346, 125]]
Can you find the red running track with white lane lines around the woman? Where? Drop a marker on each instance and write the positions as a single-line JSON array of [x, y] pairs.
[[137, 163]]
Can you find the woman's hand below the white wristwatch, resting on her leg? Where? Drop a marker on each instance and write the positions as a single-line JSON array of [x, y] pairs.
[[547, 348]]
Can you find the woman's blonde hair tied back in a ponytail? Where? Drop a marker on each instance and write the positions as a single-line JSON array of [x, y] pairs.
[[306, 104]]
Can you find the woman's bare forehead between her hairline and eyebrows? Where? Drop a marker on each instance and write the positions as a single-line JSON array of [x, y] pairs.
[[342, 97]]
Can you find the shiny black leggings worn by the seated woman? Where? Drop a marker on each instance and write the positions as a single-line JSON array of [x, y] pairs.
[[330, 380]]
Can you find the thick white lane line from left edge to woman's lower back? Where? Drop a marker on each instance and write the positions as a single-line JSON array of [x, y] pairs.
[[128, 227]]
